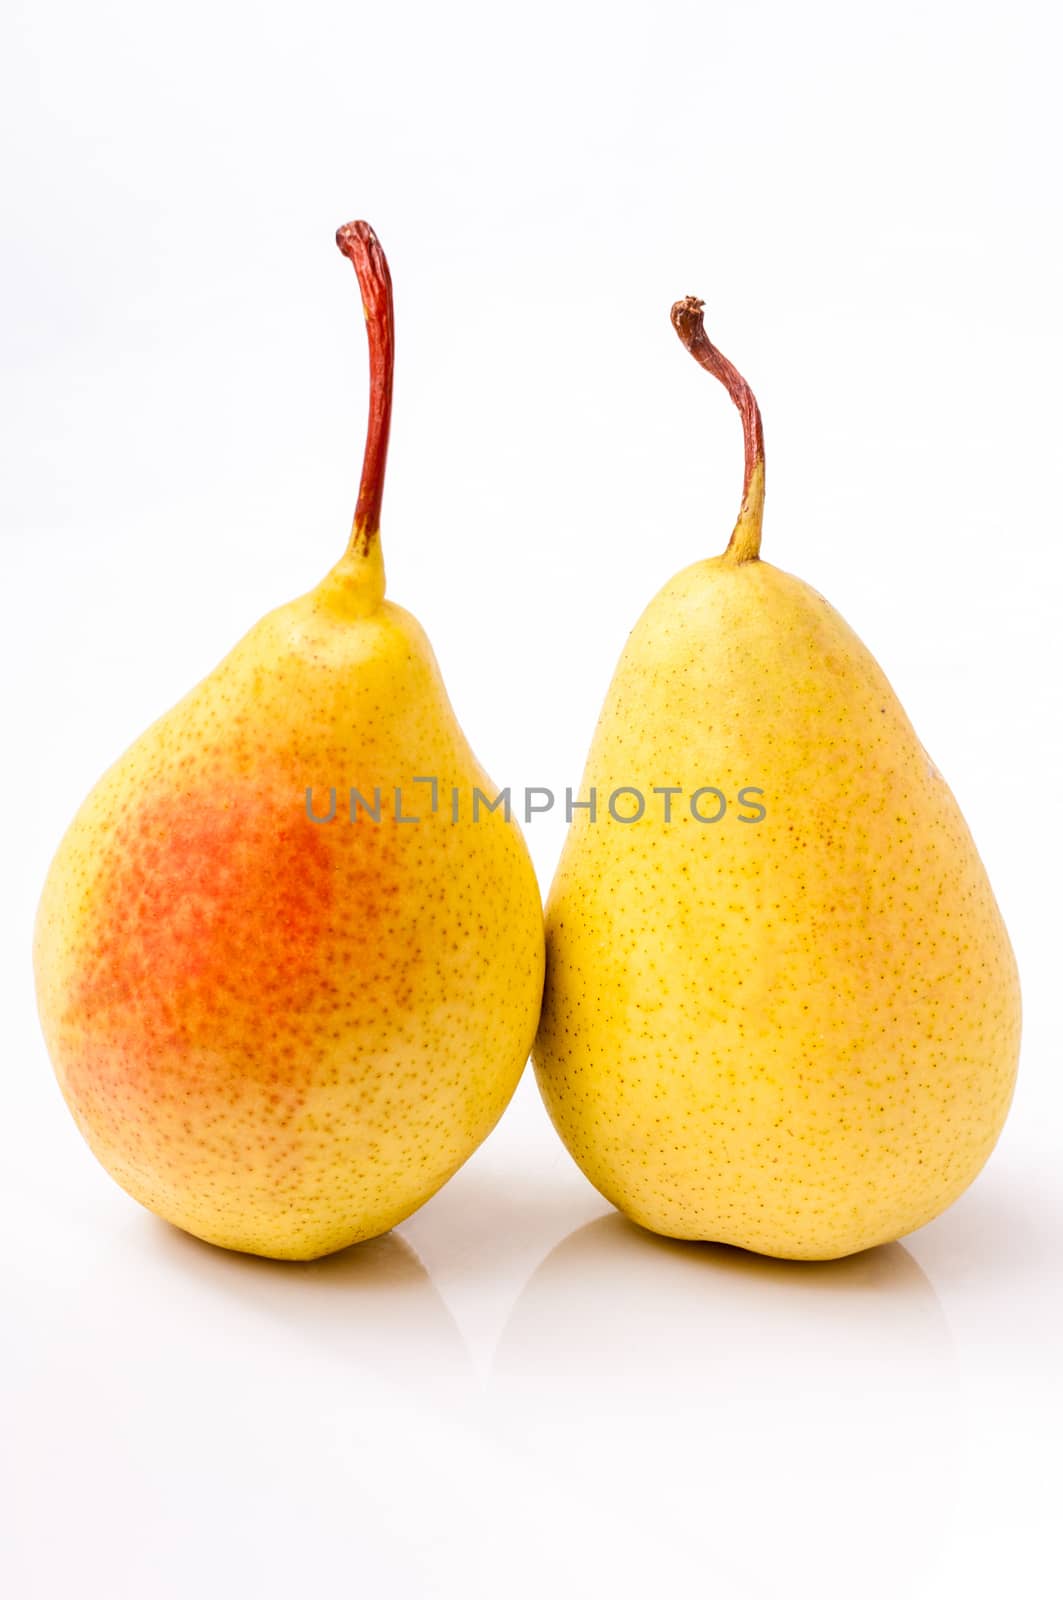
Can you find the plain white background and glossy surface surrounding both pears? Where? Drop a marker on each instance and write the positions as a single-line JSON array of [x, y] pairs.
[[518, 1394]]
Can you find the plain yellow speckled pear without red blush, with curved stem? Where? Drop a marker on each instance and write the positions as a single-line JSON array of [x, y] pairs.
[[782, 1009]]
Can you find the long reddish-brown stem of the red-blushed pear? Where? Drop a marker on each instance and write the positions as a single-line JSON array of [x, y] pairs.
[[364, 252]]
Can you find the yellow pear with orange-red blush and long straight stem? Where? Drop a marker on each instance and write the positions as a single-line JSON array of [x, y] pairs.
[[289, 961]]
